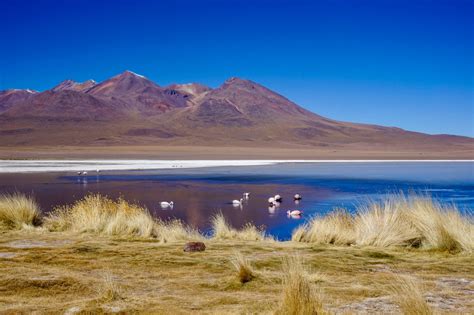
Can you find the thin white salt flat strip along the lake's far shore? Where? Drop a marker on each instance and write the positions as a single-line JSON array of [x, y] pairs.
[[39, 166]]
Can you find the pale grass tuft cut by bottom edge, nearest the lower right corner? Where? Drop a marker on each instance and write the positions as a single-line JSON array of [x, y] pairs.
[[408, 295]]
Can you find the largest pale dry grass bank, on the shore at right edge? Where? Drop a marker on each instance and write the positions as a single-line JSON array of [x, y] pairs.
[[416, 221]]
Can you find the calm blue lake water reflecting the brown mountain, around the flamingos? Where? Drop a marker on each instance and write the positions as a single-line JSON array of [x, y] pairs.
[[200, 193]]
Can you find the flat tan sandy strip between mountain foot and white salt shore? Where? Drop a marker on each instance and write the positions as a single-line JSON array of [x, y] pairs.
[[223, 153]]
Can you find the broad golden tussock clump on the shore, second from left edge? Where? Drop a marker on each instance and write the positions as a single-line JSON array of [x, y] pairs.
[[101, 215]]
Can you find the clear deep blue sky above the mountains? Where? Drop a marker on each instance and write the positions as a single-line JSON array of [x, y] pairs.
[[406, 63]]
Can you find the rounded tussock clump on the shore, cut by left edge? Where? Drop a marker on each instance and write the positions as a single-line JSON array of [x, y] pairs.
[[18, 211]]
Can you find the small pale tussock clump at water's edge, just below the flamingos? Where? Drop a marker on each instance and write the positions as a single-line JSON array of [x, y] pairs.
[[223, 231]]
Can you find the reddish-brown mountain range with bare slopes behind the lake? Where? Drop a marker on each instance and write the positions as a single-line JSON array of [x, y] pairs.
[[129, 109]]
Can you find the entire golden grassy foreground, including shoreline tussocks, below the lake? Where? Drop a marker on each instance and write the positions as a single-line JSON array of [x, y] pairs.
[[106, 256]]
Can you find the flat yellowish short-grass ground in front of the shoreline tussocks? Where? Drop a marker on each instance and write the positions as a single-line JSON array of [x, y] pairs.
[[65, 271]]
